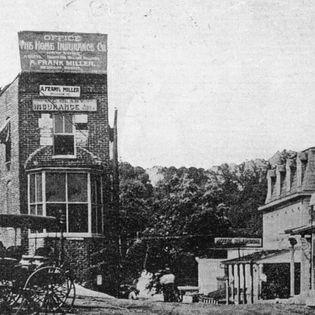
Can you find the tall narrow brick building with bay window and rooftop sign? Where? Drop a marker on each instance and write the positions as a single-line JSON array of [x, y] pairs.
[[55, 150]]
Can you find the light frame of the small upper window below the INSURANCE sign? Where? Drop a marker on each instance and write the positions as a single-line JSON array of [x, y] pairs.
[[64, 133]]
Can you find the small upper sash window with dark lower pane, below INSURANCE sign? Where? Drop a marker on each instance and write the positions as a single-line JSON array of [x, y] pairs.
[[64, 134]]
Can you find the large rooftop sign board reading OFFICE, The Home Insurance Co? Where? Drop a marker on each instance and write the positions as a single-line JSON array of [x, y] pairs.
[[63, 52]]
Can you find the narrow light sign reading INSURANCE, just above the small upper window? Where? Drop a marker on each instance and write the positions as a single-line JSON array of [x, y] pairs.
[[64, 105]]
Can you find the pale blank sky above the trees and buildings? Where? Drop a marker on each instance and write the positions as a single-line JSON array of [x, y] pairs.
[[196, 83]]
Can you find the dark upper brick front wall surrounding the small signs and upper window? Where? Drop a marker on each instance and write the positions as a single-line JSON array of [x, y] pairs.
[[92, 87]]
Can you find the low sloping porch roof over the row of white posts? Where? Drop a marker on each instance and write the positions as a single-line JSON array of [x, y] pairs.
[[264, 256]]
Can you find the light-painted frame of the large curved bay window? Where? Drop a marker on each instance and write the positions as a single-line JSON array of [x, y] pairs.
[[88, 202]]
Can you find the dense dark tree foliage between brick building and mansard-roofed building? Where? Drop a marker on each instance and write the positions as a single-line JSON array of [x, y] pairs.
[[182, 214]]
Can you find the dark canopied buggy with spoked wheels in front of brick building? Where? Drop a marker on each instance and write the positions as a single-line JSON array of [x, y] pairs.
[[39, 283]]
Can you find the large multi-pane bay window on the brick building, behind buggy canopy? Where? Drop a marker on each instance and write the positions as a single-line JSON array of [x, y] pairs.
[[77, 195]]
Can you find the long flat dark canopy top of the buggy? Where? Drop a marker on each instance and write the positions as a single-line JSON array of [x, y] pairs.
[[29, 221]]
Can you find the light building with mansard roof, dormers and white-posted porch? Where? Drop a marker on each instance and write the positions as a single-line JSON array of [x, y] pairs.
[[285, 265]]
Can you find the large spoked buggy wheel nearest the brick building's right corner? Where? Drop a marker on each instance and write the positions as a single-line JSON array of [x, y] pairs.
[[48, 289]]
